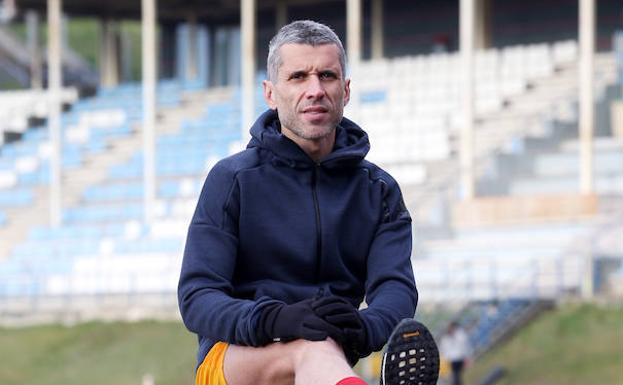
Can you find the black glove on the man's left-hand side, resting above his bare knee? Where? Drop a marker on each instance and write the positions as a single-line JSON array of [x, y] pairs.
[[280, 322]]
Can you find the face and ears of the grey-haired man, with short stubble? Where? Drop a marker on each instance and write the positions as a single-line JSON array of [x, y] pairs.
[[310, 92]]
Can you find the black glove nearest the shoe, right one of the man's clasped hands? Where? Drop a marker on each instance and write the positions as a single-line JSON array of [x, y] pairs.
[[342, 314]]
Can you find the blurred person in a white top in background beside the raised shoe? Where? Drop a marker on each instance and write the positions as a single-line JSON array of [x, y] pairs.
[[455, 348]]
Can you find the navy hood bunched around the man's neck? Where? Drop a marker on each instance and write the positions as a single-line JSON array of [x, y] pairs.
[[351, 143]]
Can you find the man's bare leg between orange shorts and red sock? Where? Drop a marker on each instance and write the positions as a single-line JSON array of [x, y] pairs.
[[298, 362]]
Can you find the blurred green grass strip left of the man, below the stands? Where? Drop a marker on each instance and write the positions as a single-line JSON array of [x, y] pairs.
[[97, 354]]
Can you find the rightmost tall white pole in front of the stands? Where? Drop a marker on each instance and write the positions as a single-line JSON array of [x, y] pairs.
[[587, 106]]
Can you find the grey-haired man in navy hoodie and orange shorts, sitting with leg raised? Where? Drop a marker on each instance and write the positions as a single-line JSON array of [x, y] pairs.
[[291, 234]]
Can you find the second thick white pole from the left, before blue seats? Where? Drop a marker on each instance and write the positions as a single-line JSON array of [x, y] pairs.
[[149, 107]]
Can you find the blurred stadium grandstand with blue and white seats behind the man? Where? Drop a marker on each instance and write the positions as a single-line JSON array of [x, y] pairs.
[[501, 120]]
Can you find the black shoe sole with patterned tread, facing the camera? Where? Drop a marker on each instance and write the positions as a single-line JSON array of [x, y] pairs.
[[411, 356]]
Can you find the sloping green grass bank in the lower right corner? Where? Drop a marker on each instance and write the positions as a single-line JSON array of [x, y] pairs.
[[573, 345]]
